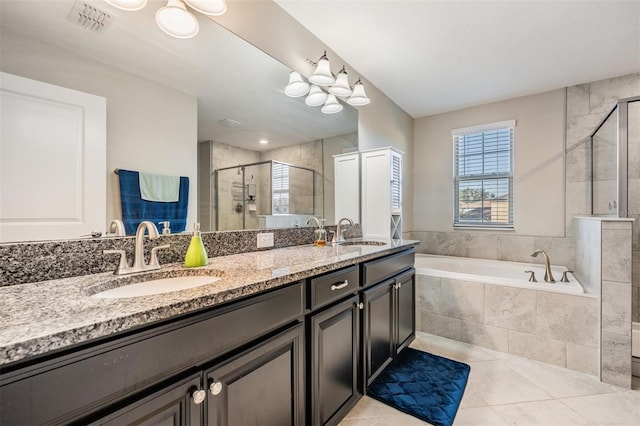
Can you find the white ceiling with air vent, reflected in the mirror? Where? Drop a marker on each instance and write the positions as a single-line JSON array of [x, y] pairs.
[[230, 77]]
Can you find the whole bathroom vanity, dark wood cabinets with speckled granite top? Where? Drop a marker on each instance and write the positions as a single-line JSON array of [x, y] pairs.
[[286, 336]]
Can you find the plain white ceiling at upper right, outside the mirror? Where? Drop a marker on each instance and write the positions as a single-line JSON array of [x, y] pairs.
[[436, 56]]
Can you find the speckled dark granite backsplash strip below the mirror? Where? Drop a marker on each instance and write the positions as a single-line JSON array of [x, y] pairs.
[[22, 263]]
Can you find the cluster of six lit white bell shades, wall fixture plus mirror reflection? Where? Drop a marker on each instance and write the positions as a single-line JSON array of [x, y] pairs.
[[336, 86]]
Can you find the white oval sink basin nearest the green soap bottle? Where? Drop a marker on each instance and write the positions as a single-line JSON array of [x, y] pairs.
[[157, 286]]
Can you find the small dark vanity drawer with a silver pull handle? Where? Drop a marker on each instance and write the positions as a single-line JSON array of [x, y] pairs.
[[333, 286]]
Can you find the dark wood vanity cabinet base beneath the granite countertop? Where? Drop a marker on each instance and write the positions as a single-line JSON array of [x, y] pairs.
[[299, 354]]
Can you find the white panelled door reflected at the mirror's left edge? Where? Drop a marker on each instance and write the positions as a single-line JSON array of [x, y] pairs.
[[52, 161]]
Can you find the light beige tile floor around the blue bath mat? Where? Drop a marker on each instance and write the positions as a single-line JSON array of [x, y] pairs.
[[507, 390]]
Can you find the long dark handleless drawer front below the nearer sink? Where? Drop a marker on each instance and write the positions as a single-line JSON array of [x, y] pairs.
[[73, 385]]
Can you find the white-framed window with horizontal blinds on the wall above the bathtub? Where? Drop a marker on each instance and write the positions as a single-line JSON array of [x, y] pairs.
[[483, 176]]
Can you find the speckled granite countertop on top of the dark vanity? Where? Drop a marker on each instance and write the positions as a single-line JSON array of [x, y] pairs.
[[45, 316]]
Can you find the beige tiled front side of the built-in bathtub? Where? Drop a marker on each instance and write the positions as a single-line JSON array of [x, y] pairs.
[[554, 328]]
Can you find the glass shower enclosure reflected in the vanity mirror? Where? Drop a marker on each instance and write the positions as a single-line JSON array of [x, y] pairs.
[[266, 194]]
